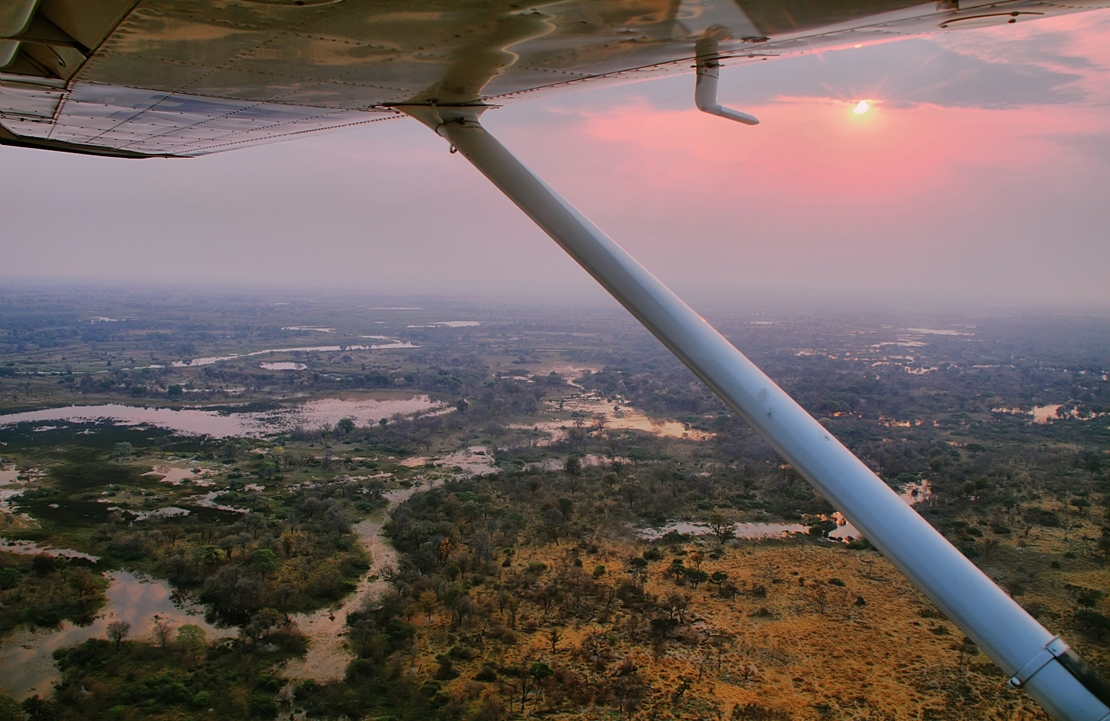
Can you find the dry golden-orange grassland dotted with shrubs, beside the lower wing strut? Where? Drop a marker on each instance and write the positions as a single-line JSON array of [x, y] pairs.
[[871, 648]]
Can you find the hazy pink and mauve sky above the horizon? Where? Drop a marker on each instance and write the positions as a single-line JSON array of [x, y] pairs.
[[981, 179]]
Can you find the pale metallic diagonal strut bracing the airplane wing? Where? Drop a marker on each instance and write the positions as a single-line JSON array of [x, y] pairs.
[[994, 621]]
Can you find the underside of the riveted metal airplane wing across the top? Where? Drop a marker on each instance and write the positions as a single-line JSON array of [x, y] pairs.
[[183, 78]]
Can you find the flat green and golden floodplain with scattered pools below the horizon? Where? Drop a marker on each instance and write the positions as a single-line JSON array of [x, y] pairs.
[[366, 509]]
